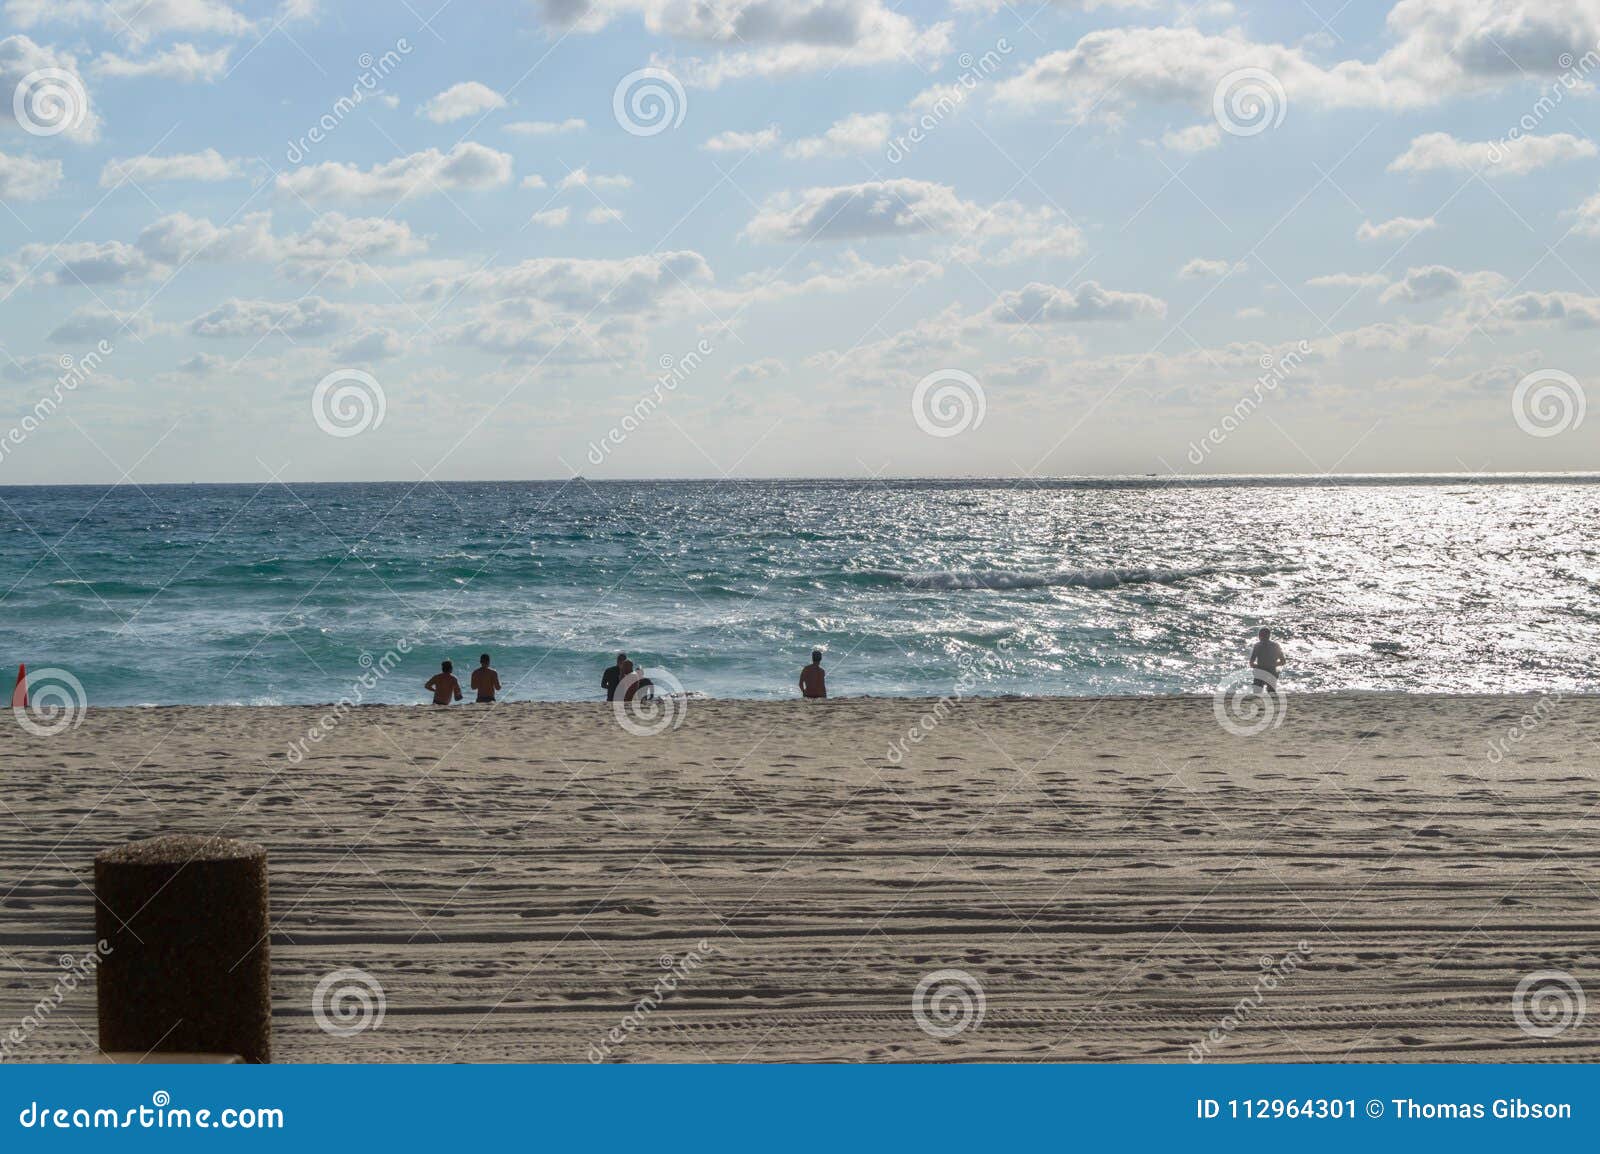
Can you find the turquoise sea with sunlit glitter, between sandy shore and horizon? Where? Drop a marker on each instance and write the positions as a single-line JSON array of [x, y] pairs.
[[290, 593]]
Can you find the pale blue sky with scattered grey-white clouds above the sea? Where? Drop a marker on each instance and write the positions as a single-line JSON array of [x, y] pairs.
[[530, 239]]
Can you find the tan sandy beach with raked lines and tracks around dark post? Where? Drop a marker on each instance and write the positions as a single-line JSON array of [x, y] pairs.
[[1114, 880]]
